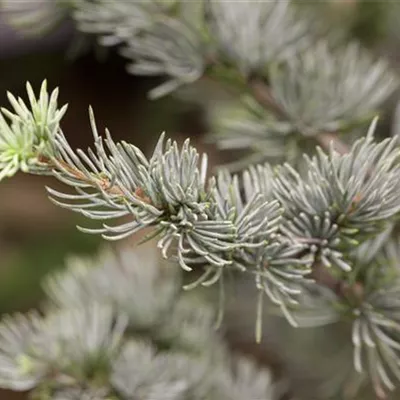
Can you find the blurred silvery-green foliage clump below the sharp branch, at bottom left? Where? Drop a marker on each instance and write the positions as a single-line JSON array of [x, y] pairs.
[[120, 328]]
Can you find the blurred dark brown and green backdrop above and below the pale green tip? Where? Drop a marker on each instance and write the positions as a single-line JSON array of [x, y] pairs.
[[35, 236]]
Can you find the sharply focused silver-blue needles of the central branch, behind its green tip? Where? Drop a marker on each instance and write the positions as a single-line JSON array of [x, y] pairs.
[[266, 230]]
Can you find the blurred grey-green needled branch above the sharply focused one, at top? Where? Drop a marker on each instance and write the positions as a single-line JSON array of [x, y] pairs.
[[294, 88]]
